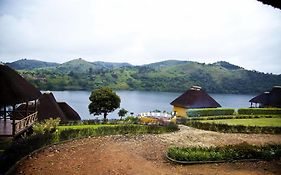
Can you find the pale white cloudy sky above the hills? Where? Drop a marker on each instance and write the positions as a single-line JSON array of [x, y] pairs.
[[243, 32]]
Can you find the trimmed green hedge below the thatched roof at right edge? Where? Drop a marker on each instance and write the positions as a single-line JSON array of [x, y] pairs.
[[259, 111]]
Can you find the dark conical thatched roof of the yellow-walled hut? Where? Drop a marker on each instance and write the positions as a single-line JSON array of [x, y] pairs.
[[195, 97]]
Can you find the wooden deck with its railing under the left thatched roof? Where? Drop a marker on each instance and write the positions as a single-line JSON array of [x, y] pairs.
[[6, 127]]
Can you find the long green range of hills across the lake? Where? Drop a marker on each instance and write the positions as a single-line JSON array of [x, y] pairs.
[[171, 75]]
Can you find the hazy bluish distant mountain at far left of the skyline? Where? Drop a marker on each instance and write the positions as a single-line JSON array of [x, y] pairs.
[[26, 64]]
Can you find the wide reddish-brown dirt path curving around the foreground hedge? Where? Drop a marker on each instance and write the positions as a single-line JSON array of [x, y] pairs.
[[143, 154]]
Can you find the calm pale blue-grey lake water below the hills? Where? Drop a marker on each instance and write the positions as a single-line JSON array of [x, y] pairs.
[[143, 101]]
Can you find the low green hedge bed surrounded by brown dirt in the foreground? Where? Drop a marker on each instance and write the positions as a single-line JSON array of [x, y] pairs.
[[226, 153]]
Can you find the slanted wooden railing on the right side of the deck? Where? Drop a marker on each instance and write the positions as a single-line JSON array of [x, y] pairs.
[[24, 123]]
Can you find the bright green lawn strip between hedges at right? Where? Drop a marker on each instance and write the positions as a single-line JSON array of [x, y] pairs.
[[276, 122]]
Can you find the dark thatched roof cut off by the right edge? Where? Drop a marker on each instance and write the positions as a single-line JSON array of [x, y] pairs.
[[272, 98]]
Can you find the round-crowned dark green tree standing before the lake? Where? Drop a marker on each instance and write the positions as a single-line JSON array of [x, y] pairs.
[[103, 101]]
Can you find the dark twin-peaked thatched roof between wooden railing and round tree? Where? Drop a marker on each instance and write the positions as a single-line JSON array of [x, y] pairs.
[[50, 108]]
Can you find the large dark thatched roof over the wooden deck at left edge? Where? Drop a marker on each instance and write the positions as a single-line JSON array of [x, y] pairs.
[[14, 89]]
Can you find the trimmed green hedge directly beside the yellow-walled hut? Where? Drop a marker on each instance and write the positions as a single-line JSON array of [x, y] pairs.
[[209, 112]]
